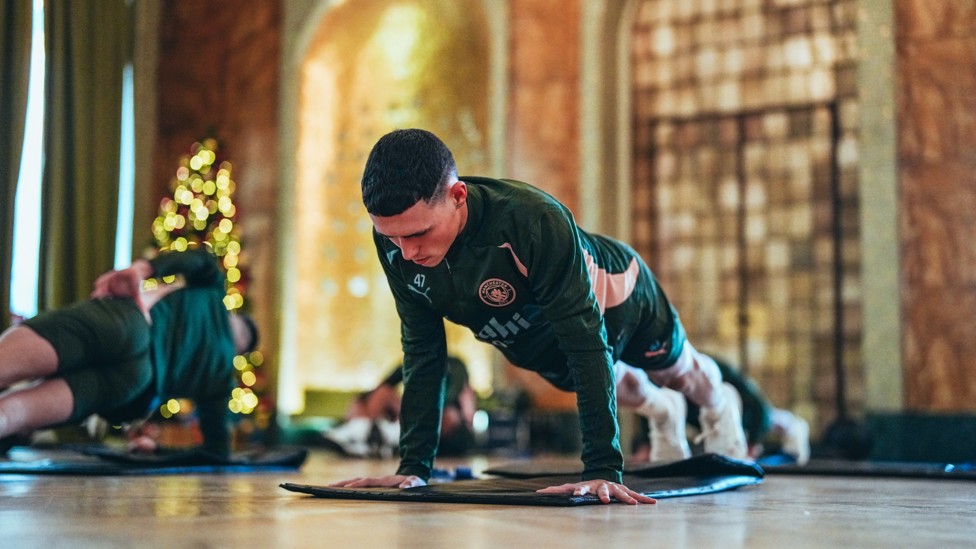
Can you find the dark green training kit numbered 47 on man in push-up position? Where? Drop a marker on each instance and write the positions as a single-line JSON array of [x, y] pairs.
[[552, 298]]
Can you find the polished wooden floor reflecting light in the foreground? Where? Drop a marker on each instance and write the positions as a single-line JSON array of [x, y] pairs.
[[251, 511]]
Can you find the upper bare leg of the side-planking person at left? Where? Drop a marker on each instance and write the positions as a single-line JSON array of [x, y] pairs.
[[25, 356]]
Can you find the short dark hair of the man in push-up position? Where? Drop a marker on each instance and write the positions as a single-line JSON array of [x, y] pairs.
[[405, 167]]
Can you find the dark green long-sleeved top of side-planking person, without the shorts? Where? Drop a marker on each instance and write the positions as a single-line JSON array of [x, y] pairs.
[[192, 345]]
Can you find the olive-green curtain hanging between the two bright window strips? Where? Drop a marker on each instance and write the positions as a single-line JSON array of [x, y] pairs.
[[86, 42]]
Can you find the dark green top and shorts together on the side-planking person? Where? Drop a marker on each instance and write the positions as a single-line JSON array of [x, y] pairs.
[[120, 366]]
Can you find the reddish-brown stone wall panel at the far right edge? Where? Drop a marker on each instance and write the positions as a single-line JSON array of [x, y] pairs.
[[936, 67]]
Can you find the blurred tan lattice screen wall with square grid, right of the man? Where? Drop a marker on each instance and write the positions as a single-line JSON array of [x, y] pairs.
[[745, 162]]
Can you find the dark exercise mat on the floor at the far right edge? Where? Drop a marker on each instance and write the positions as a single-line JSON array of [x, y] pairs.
[[886, 469]]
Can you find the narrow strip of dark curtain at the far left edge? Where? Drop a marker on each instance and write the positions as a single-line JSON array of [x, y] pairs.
[[15, 44]]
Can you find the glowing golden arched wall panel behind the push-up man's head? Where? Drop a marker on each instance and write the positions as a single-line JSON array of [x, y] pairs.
[[373, 66]]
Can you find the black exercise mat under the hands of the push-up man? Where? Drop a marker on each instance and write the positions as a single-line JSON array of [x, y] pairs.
[[696, 476]]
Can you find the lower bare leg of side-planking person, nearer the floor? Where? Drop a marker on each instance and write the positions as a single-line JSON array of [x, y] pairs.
[[24, 410]]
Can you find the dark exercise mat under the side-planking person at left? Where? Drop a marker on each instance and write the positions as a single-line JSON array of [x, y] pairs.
[[100, 460]]
